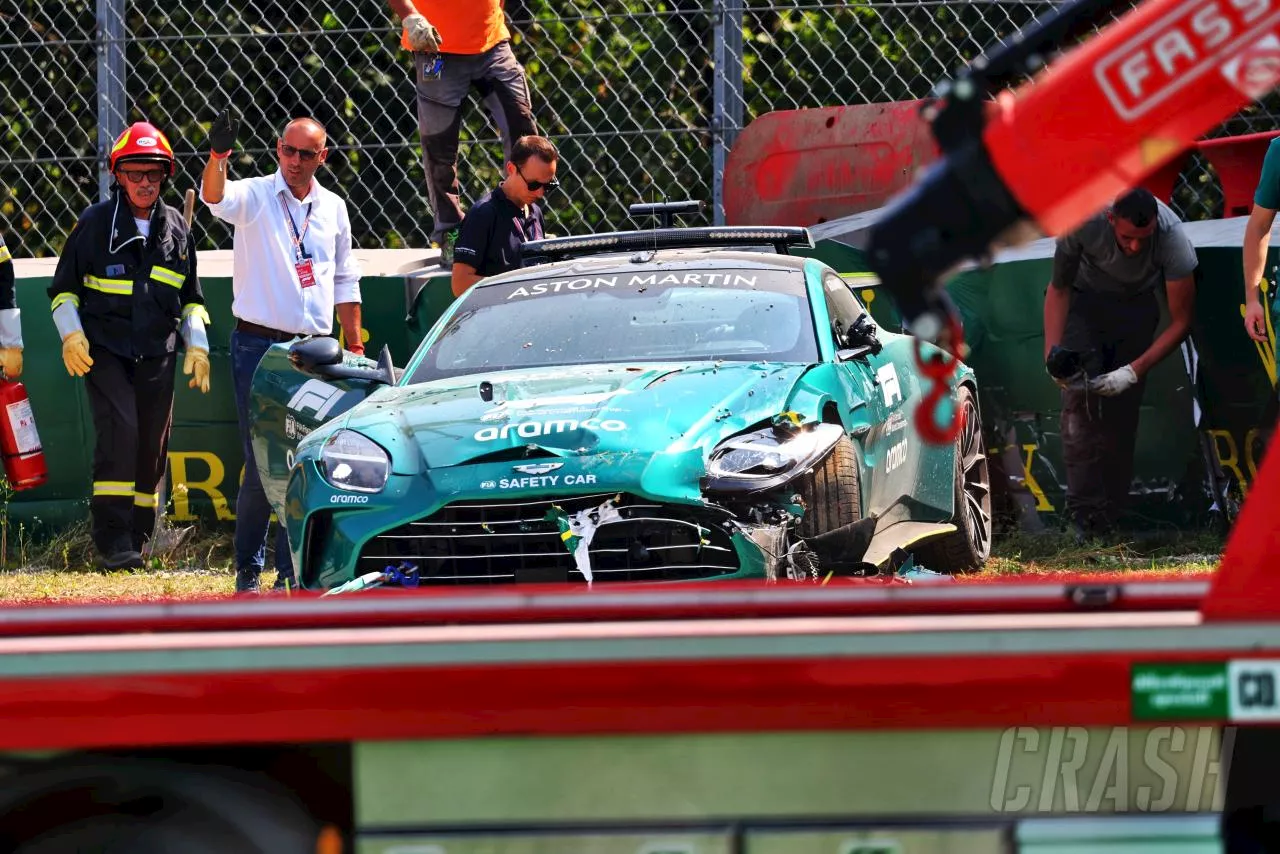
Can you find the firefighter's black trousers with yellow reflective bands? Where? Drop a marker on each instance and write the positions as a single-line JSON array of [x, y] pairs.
[[132, 408]]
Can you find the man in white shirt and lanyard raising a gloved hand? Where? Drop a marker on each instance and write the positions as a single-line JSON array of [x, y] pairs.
[[292, 268]]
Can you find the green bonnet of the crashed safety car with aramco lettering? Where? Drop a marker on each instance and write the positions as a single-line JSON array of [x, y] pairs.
[[597, 409]]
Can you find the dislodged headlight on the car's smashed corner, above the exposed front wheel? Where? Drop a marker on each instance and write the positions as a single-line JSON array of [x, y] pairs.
[[770, 458]]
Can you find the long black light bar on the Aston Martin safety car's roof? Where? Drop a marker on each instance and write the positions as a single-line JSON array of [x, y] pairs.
[[666, 239]]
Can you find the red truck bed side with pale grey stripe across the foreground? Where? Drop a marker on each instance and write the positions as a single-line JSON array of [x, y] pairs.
[[657, 659]]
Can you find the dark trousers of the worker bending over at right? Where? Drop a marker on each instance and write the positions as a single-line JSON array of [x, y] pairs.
[[1099, 439]]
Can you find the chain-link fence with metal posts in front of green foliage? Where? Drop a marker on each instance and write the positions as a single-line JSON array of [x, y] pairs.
[[643, 98]]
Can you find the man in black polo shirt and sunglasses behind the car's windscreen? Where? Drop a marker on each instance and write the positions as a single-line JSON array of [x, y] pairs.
[[495, 230]]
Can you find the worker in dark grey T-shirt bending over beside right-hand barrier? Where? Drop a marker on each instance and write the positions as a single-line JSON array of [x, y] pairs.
[[1101, 304]]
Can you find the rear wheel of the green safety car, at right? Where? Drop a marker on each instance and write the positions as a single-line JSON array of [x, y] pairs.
[[968, 549]]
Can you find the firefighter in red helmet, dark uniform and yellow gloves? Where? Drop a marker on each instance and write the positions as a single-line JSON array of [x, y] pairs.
[[126, 298]]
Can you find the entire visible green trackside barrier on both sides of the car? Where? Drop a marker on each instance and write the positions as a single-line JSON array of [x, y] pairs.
[[405, 293]]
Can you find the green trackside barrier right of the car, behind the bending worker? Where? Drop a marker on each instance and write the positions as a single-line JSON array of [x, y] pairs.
[[1003, 312]]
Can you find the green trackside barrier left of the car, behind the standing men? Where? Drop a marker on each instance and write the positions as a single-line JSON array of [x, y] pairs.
[[205, 460]]
